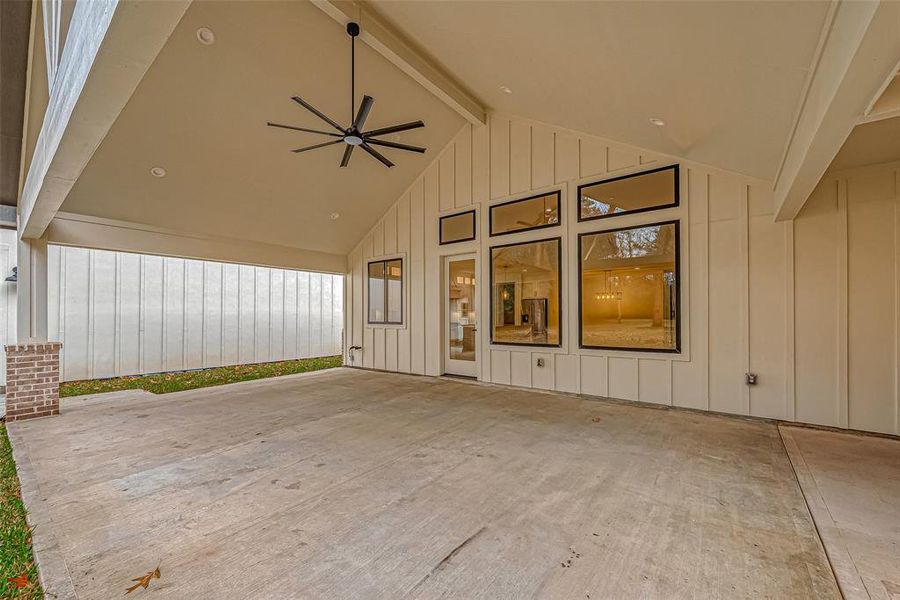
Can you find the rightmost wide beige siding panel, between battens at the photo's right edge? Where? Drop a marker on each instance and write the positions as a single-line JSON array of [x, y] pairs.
[[871, 326]]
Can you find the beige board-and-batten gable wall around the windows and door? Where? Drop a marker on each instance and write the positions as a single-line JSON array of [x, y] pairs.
[[771, 298]]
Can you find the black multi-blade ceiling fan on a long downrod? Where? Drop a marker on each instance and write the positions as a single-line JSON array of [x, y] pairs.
[[354, 135]]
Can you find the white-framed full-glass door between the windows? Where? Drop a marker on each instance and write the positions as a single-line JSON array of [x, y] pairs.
[[460, 316]]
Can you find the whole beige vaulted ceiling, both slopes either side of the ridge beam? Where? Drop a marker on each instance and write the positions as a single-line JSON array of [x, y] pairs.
[[726, 77]]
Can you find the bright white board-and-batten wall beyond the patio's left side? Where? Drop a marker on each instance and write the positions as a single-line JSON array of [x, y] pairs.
[[119, 314]]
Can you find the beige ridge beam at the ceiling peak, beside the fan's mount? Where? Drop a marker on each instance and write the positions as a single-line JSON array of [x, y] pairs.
[[384, 38]]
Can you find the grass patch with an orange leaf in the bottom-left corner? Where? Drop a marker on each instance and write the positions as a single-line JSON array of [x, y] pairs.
[[15, 535]]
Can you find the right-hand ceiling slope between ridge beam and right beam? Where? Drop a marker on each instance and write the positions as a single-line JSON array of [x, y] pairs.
[[726, 77]]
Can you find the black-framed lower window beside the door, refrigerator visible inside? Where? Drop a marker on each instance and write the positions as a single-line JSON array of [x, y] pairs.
[[526, 295]]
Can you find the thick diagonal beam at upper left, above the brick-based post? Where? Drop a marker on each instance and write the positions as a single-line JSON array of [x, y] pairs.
[[109, 47]]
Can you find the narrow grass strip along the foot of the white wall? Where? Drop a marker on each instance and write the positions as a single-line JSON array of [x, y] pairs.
[[164, 383]]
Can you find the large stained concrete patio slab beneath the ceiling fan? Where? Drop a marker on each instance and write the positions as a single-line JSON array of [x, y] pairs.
[[354, 484]]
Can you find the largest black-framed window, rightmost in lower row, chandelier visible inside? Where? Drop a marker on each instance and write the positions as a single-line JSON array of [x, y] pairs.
[[629, 288]]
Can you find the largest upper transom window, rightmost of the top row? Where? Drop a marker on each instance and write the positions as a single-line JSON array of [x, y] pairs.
[[650, 190]]
